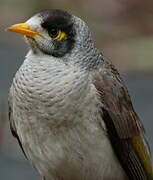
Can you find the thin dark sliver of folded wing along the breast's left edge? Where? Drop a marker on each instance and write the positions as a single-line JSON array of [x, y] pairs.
[[12, 123]]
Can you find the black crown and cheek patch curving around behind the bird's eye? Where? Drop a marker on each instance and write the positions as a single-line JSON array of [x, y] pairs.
[[59, 20]]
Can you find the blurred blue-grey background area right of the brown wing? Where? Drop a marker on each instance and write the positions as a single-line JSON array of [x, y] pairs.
[[140, 87]]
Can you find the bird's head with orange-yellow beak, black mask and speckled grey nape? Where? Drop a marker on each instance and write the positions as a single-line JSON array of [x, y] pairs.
[[59, 34]]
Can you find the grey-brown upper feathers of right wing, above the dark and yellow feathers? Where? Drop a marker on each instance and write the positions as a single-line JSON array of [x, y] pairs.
[[116, 100]]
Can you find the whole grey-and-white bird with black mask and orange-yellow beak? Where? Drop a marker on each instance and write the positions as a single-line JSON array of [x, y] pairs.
[[69, 108]]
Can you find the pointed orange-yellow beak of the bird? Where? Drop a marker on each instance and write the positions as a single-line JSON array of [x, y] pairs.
[[24, 29]]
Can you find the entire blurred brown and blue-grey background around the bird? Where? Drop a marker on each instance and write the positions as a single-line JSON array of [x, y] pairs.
[[122, 29]]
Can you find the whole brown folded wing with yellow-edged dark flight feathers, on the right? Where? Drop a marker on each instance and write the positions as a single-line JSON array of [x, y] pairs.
[[124, 128]]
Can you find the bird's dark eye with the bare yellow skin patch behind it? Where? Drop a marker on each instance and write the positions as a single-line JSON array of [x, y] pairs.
[[56, 34]]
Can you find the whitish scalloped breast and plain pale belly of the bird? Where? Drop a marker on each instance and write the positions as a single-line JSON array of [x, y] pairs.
[[56, 113]]
